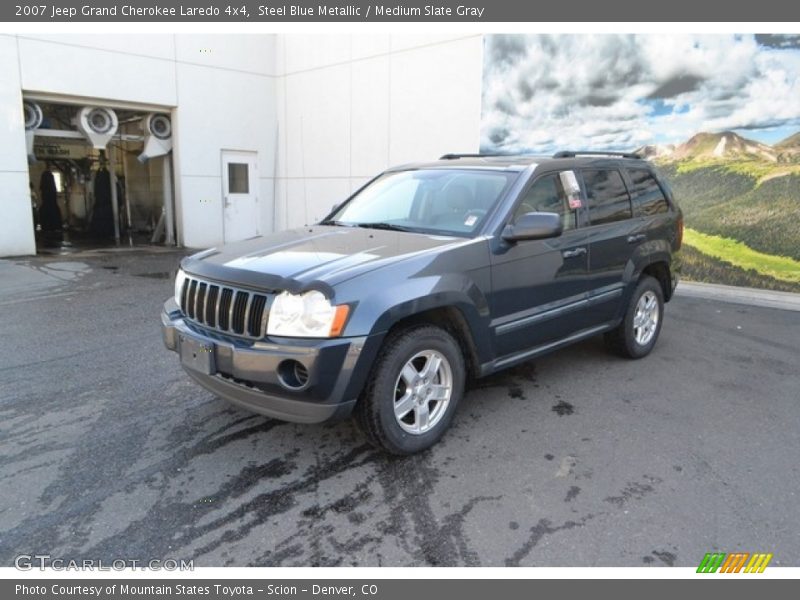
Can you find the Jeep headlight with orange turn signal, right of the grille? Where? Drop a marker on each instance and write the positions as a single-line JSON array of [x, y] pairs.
[[306, 315]]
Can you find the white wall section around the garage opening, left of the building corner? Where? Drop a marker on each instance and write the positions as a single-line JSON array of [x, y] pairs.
[[220, 90]]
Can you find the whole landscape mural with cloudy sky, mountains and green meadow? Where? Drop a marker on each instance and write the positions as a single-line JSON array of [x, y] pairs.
[[718, 114]]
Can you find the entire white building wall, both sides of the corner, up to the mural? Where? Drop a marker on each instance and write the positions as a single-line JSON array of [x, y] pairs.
[[324, 113]]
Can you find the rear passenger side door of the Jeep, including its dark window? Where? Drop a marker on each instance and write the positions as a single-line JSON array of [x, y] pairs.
[[612, 237]]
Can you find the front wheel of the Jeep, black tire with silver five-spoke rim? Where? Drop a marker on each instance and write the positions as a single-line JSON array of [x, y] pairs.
[[419, 371]]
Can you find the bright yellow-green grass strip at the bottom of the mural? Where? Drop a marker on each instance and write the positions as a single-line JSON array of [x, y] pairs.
[[738, 254]]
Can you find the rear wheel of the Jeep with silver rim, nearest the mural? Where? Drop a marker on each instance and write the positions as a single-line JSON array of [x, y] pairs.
[[637, 334]]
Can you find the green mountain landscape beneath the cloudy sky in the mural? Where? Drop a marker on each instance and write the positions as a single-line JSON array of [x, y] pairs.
[[741, 200]]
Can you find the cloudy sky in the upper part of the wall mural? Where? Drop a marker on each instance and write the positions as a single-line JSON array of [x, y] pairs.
[[542, 93]]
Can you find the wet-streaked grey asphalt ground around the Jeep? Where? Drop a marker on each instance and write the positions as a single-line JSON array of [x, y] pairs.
[[109, 451]]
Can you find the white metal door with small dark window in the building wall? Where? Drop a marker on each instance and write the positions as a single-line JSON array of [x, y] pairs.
[[239, 195]]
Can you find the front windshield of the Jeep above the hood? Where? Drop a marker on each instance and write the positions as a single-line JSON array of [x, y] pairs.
[[440, 201]]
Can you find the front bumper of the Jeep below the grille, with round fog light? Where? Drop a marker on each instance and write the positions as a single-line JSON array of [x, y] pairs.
[[247, 373]]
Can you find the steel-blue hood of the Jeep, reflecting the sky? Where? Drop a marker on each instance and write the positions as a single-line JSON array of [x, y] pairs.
[[295, 258]]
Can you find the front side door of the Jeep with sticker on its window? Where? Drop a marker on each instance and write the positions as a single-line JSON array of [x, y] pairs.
[[539, 286]]
